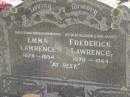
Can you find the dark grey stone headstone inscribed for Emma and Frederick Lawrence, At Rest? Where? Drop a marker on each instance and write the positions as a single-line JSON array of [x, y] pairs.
[[67, 42]]
